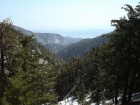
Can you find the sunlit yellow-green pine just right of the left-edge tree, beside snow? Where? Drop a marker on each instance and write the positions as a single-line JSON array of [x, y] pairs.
[[41, 76]]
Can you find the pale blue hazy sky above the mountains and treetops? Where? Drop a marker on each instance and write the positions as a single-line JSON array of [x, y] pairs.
[[45, 15]]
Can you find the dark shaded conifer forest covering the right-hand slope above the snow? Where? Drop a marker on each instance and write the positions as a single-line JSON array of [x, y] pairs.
[[110, 70]]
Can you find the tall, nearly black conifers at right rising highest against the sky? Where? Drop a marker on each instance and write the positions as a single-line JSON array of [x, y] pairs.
[[124, 45]]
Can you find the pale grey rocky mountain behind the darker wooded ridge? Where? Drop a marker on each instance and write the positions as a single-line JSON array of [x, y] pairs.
[[53, 42]]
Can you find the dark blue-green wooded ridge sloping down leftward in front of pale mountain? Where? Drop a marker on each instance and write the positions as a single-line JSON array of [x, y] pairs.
[[80, 48]]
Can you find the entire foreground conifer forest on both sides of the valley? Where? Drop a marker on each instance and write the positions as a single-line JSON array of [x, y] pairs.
[[31, 75]]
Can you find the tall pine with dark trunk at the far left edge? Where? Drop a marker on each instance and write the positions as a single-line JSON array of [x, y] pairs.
[[8, 50]]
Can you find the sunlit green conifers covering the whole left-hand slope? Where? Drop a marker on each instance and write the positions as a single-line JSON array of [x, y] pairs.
[[29, 79]]
